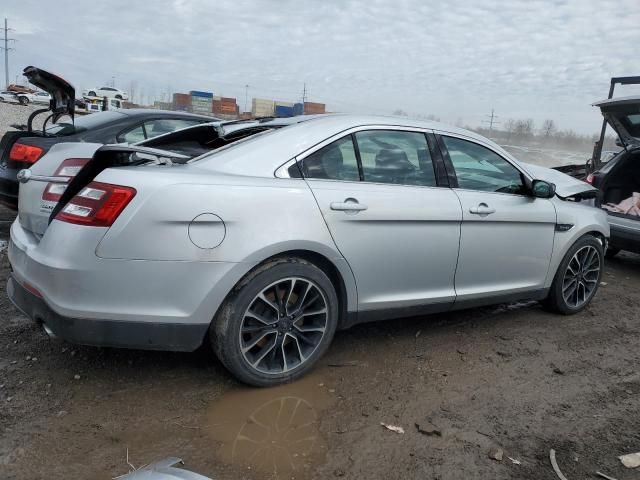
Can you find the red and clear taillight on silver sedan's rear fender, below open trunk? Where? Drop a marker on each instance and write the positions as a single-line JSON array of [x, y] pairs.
[[97, 204]]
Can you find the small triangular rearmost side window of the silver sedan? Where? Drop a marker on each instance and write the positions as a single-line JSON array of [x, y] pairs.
[[336, 161]]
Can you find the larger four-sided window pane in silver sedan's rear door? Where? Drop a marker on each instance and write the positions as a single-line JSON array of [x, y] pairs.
[[390, 156]]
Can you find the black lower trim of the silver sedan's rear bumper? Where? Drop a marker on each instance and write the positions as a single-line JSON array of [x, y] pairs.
[[107, 333]]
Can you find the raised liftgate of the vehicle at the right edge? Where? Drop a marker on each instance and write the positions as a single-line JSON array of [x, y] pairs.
[[623, 114]]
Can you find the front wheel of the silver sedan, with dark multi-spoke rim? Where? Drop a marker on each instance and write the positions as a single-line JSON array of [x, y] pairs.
[[556, 300]]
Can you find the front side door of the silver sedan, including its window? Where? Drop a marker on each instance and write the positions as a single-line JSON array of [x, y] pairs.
[[507, 235]]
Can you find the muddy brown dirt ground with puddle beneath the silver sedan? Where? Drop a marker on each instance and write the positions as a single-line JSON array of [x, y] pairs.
[[511, 377]]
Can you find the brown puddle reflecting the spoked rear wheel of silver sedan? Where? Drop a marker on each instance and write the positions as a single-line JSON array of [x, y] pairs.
[[273, 430]]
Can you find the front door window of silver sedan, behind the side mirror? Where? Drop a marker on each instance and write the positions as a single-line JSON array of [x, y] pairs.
[[479, 168]]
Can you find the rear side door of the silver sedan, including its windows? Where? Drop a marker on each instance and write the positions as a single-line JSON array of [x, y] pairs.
[[395, 226]]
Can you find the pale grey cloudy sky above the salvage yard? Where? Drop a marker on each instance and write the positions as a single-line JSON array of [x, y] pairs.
[[456, 60]]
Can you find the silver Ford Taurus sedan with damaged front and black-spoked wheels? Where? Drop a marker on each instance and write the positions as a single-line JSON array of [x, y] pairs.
[[267, 246]]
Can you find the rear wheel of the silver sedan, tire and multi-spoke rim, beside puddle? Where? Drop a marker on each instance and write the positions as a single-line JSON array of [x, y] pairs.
[[282, 331]]
